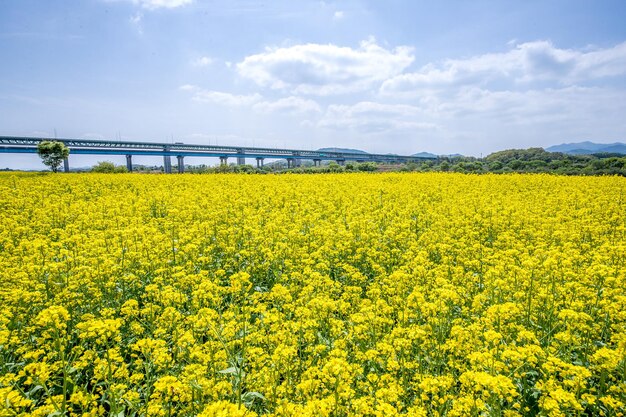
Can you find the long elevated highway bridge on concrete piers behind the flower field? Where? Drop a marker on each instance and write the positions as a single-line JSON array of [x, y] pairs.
[[17, 144]]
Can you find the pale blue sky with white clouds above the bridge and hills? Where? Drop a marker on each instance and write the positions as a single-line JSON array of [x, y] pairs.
[[394, 76]]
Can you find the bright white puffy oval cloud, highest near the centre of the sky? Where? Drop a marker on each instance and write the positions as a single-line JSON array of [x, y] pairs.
[[325, 69]]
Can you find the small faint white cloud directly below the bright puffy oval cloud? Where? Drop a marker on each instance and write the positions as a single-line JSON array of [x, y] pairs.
[[371, 117]]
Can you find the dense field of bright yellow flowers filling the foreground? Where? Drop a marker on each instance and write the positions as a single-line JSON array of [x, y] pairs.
[[323, 295]]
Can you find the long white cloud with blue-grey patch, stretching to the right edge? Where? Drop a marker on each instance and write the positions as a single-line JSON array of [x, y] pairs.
[[525, 63]]
